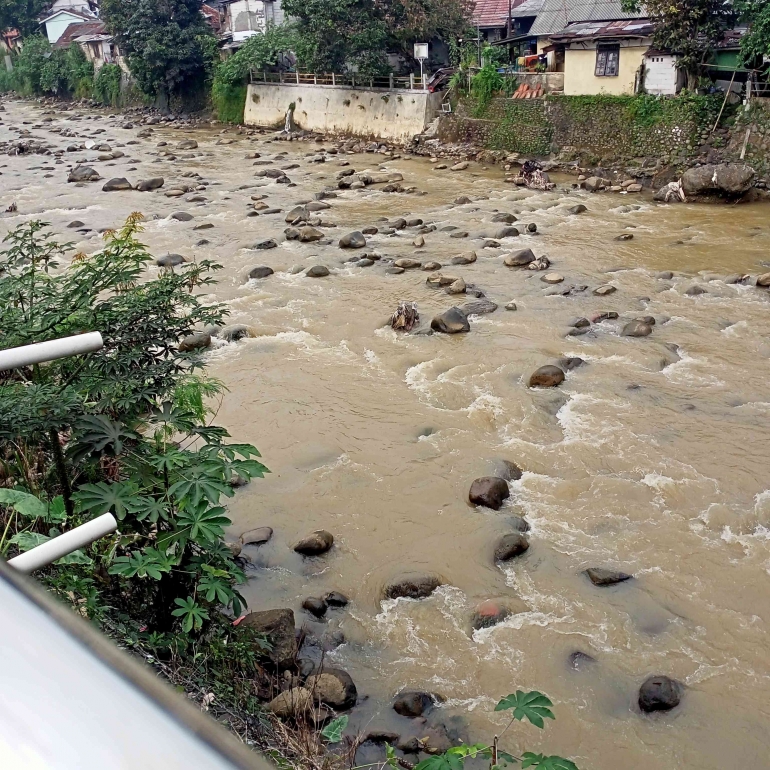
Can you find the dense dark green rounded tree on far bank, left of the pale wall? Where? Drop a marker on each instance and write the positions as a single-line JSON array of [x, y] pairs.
[[164, 42]]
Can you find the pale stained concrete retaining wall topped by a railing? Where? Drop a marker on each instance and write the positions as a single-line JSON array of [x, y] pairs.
[[365, 112]]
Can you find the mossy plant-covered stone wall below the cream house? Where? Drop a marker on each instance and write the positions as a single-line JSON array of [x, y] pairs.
[[609, 128]]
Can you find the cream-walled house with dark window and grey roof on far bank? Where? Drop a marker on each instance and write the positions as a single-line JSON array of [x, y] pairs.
[[599, 46]]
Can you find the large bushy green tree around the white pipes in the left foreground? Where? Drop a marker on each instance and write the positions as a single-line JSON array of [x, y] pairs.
[[124, 430]]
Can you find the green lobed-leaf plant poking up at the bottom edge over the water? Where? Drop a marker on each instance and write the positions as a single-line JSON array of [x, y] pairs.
[[532, 706]]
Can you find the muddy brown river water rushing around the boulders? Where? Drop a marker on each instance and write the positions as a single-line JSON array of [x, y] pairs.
[[639, 461]]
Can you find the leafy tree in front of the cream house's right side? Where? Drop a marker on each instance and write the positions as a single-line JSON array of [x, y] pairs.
[[690, 28]]
